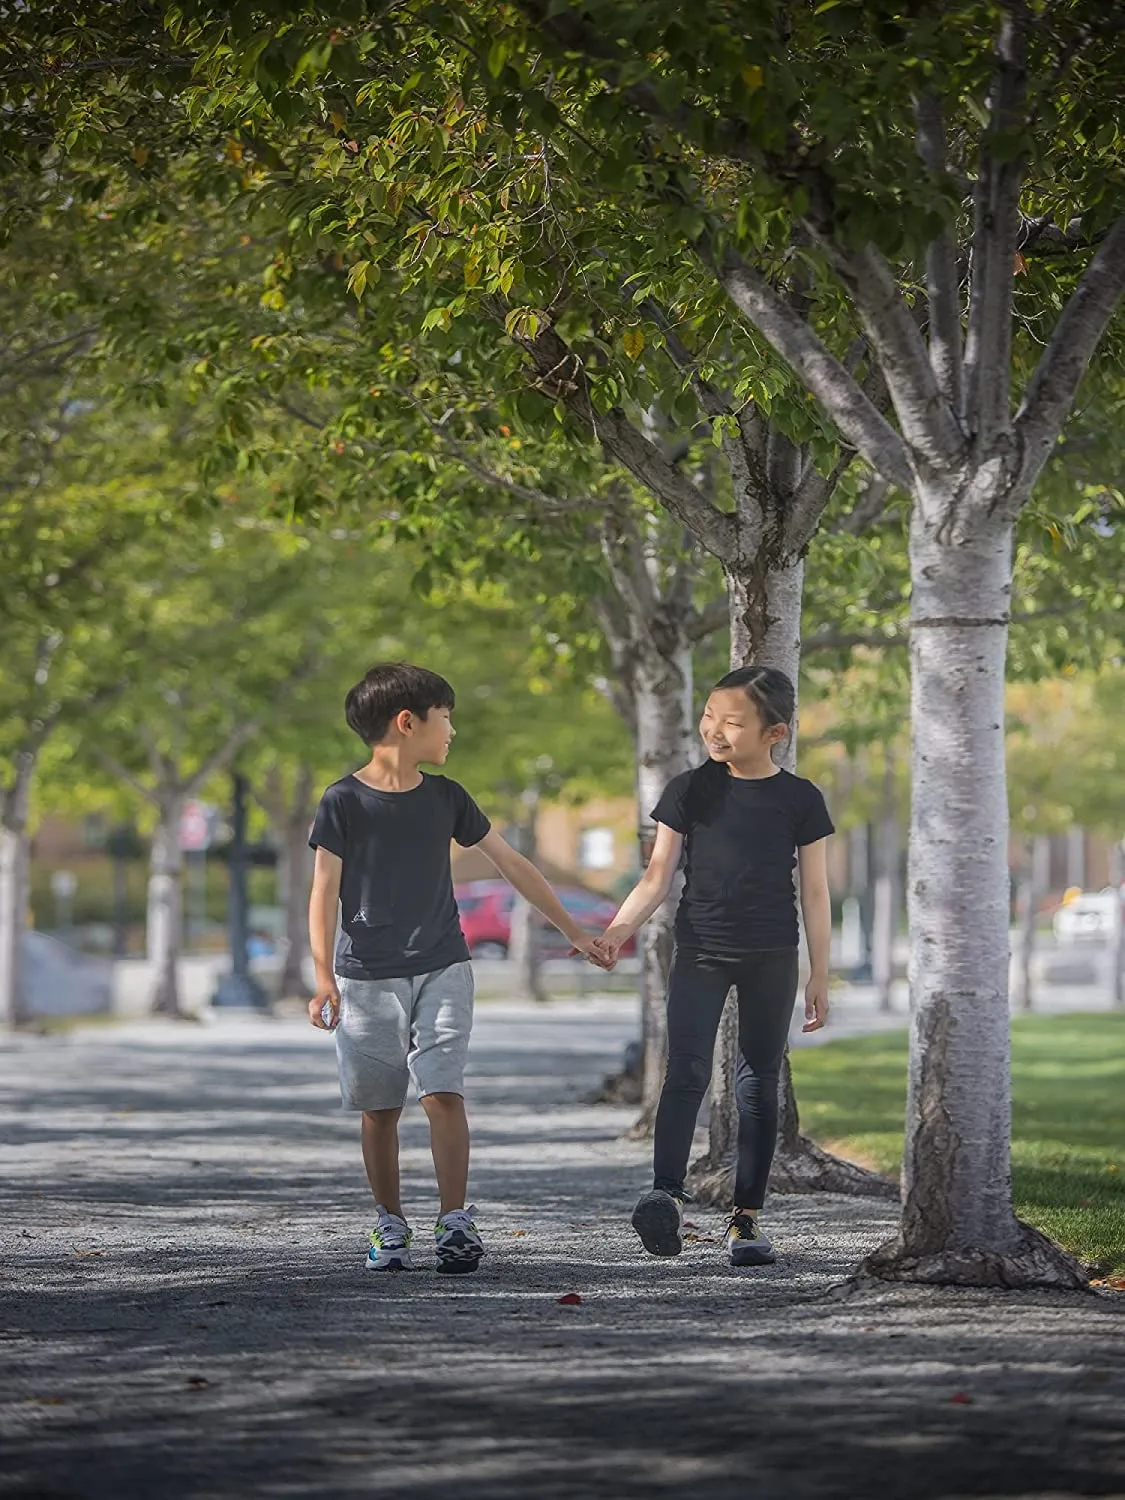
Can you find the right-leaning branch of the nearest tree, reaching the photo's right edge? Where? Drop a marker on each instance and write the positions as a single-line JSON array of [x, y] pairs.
[[1055, 385]]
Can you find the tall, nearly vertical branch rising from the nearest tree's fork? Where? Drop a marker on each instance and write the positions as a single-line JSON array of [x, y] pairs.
[[997, 221]]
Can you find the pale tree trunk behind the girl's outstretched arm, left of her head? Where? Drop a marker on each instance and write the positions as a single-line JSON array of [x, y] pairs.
[[665, 743]]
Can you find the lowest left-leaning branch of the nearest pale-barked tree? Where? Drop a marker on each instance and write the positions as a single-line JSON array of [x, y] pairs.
[[853, 412]]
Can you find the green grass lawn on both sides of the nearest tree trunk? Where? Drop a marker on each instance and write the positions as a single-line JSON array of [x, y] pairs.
[[1069, 1120]]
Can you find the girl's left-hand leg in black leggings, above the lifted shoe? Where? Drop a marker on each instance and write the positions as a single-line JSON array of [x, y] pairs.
[[697, 992]]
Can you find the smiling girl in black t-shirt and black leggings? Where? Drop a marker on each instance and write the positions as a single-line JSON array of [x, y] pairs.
[[743, 824]]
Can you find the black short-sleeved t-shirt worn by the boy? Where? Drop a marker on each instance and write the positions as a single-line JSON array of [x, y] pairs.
[[398, 916]]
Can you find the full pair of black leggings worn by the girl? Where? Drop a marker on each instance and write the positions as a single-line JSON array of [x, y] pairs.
[[698, 988]]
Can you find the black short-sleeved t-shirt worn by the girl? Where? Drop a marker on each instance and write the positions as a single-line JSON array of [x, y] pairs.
[[740, 848]]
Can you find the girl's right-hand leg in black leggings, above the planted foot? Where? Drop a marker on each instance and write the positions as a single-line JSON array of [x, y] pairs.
[[767, 991]]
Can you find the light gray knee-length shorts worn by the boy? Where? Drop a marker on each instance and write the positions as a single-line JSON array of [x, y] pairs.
[[392, 1031]]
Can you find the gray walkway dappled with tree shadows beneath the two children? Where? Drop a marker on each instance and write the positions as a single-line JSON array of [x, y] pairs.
[[184, 1310]]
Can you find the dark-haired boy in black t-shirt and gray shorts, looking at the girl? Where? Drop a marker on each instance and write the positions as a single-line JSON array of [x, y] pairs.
[[398, 991]]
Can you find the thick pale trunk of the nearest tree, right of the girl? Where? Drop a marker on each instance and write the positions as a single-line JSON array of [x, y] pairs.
[[958, 1222]]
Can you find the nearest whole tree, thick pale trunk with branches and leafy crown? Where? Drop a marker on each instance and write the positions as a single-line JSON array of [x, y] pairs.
[[1006, 127]]
